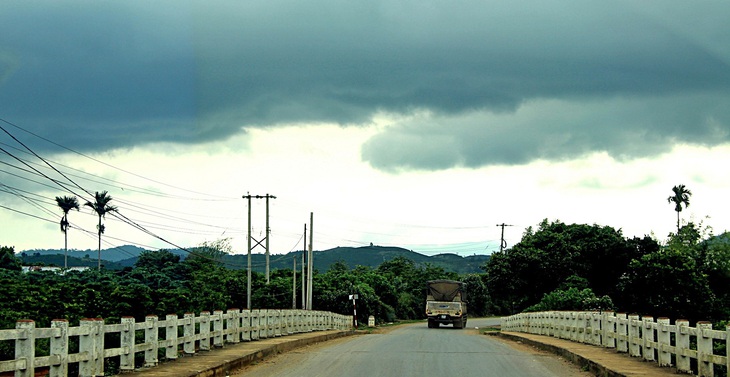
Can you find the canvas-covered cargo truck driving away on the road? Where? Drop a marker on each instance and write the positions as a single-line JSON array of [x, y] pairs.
[[446, 303]]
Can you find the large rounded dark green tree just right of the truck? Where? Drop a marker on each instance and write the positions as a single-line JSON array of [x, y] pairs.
[[545, 258]]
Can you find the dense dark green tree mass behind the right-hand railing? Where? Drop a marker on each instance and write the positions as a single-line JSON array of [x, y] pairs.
[[589, 267]]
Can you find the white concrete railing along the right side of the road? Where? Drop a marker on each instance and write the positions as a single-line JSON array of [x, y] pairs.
[[657, 341]]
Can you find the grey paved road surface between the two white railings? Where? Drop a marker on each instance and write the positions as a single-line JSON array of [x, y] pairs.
[[415, 350]]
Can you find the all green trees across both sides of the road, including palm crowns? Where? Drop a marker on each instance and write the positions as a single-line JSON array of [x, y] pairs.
[[555, 266]]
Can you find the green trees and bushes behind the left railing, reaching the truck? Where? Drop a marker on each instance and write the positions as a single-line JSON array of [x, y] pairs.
[[161, 283]]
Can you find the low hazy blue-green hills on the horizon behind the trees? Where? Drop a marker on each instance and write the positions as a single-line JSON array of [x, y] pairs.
[[370, 256]]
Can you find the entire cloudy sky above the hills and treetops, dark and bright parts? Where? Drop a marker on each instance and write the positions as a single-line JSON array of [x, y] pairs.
[[420, 124]]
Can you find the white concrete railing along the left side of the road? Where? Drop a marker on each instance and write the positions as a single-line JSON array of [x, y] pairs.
[[198, 333]]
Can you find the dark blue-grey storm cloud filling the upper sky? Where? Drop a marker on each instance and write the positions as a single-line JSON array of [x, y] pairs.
[[609, 76]]
